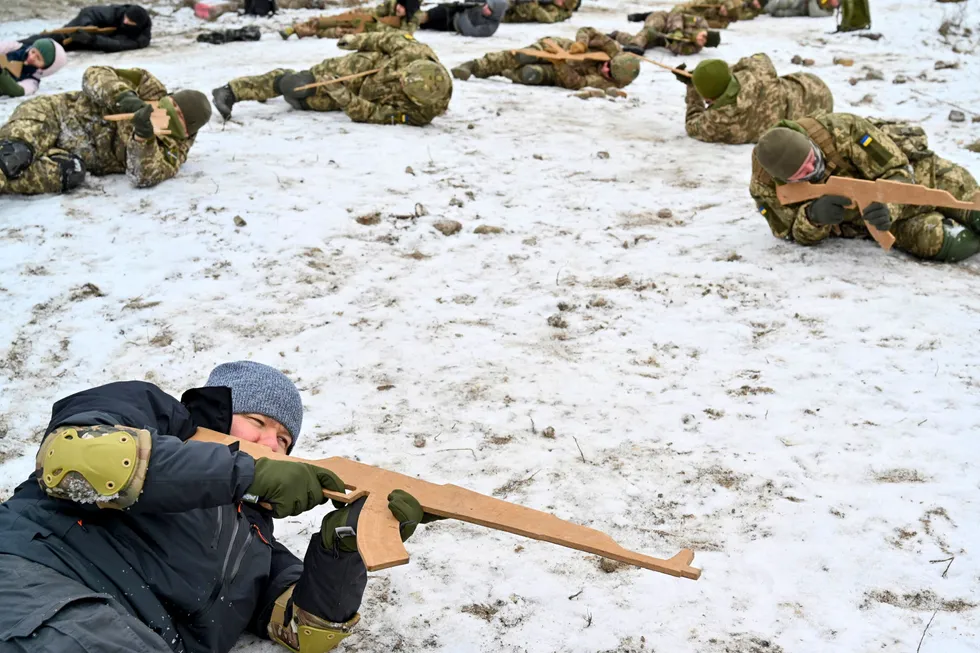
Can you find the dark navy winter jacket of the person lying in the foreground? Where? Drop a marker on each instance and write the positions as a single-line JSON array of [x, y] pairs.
[[187, 559]]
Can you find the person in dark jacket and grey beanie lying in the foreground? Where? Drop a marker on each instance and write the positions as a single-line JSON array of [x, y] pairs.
[[127, 537]]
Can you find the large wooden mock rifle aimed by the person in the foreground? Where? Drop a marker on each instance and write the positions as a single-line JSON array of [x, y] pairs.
[[378, 539]]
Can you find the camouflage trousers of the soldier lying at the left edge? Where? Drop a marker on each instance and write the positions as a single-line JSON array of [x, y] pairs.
[[36, 123]]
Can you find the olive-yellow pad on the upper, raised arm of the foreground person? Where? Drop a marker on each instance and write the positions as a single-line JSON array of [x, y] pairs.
[[105, 465]]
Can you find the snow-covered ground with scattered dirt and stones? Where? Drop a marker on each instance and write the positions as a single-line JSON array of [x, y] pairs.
[[804, 419]]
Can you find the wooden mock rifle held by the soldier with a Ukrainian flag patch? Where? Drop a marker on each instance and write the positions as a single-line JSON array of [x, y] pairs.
[[863, 192]]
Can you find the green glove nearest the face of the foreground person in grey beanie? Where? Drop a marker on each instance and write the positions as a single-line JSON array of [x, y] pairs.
[[292, 488]]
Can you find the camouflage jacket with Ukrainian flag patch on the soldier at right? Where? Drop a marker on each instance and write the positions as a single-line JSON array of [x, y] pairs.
[[866, 153]]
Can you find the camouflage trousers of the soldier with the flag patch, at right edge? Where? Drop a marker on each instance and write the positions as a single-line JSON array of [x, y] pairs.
[[920, 230]]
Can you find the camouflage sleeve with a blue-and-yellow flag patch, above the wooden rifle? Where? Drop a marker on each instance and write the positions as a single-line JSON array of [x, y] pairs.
[[871, 151]]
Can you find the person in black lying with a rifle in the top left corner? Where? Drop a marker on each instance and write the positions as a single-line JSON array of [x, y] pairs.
[[131, 22]]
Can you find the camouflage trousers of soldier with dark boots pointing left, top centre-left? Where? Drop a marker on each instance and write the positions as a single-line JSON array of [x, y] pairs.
[[265, 87]]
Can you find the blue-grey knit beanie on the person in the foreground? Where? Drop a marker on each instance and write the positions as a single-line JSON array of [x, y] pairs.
[[258, 388]]
